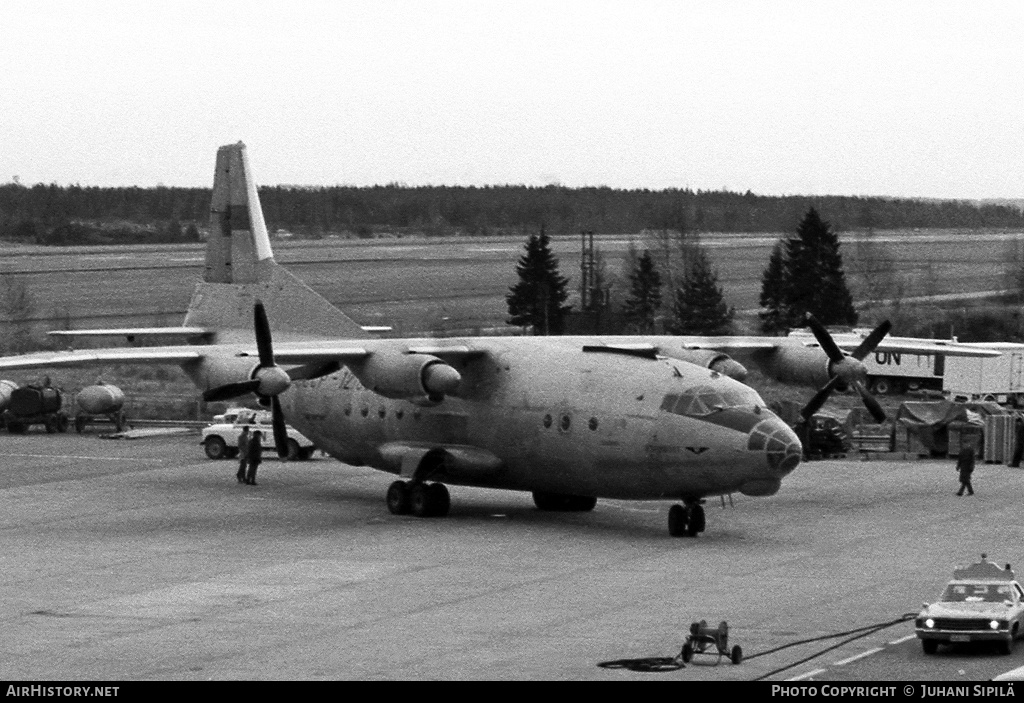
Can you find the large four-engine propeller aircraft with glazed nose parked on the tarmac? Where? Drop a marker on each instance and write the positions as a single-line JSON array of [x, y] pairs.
[[570, 419]]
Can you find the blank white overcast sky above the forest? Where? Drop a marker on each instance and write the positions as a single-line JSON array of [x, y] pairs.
[[904, 99]]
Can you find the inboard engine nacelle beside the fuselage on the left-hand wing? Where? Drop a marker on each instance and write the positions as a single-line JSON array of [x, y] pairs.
[[395, 375]]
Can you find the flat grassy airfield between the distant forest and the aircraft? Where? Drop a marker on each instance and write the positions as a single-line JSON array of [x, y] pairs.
[[424, 287]]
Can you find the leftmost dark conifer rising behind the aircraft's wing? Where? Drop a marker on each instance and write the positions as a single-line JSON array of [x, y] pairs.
[[537, 300]]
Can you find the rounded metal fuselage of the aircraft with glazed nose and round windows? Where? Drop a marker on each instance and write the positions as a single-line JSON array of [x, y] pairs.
[[562, 420]]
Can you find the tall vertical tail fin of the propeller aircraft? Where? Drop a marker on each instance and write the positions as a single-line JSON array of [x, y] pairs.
[[241, 269]]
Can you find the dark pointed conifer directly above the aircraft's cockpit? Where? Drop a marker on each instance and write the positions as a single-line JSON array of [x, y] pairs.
[[700, 307]]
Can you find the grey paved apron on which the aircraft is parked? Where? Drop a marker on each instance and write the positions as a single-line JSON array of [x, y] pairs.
[[143, 560]]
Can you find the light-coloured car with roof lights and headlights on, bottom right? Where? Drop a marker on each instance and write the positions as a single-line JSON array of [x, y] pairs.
[[984, 603]]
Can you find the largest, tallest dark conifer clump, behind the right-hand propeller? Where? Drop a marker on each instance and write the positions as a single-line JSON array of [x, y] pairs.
[[807, 278]]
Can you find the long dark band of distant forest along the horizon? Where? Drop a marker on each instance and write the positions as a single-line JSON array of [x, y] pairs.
[[42, 213]]
